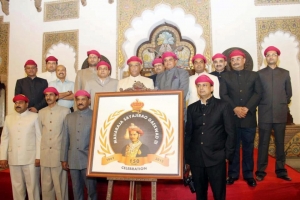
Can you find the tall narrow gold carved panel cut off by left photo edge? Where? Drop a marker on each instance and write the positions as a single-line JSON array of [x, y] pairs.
[[4, 49]]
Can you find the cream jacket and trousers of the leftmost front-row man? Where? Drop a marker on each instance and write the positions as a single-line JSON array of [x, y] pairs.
[[20, 145]]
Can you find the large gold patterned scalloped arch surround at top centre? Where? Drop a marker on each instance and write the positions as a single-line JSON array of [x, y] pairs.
[[129, 9]]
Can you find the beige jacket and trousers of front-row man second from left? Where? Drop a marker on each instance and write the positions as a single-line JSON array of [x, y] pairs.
[[53, 177]]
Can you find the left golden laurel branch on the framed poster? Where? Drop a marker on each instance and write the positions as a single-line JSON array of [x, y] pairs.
[[105, 148]]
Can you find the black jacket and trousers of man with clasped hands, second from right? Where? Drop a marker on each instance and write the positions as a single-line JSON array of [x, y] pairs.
[[242, 88]]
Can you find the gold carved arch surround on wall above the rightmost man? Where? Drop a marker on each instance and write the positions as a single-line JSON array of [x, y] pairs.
[[266, 26]]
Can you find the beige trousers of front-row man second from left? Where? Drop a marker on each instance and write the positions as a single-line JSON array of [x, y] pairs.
[[54, 183]]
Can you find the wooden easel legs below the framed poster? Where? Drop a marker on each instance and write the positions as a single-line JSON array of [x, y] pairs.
[[133, 182]]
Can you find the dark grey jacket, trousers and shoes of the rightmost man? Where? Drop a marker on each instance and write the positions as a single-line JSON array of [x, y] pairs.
[[272, 114]]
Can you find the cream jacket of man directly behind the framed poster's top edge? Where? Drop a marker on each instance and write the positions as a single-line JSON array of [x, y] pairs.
[[129, 81]]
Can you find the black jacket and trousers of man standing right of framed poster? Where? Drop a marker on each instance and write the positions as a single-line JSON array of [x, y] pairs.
[[209, 140]]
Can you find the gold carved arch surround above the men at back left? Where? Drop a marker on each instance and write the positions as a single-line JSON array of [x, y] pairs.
[[65, 37]]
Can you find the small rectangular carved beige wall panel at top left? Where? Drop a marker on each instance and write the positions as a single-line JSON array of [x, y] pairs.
[[61, 10]]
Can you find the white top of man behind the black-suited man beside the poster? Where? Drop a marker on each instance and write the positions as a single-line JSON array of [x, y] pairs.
[[193, 95]]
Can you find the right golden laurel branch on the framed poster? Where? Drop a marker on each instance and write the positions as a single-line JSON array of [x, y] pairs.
[[170, 132]]
